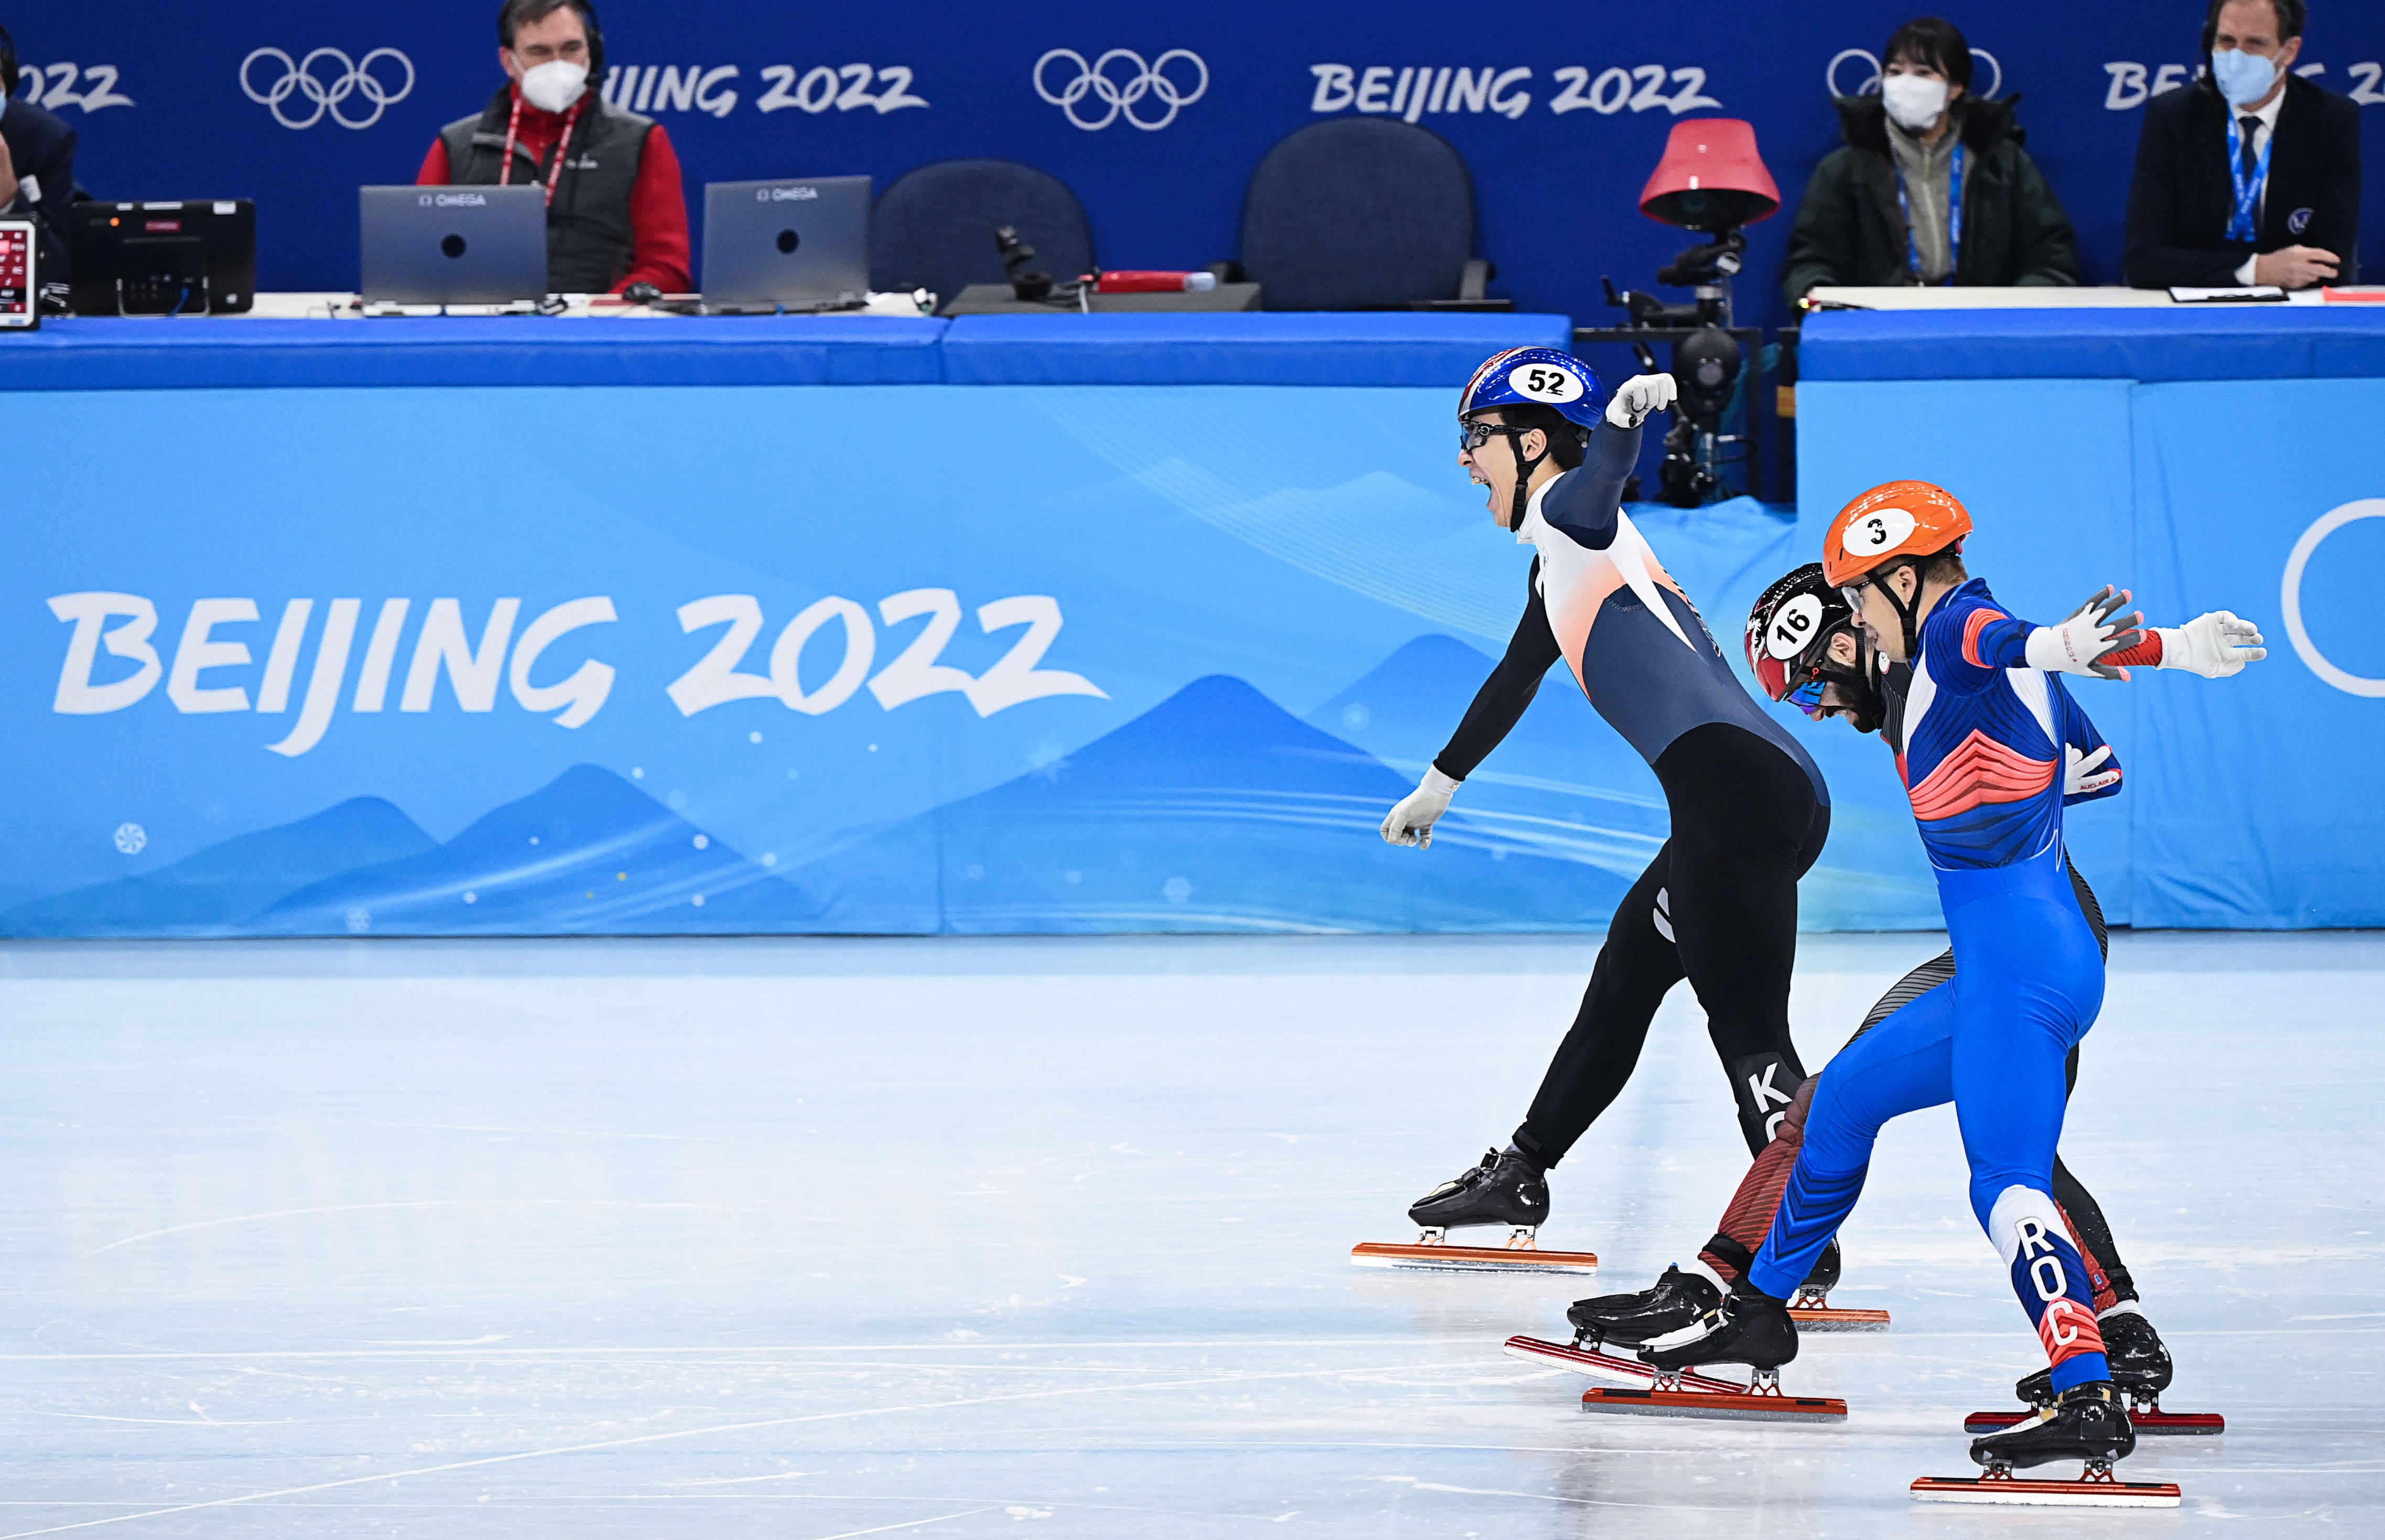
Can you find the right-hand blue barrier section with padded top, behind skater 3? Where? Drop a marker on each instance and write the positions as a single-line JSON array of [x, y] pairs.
[[2207, 457]]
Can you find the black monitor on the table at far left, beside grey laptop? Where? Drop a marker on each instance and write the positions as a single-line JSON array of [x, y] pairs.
[[163, 259]]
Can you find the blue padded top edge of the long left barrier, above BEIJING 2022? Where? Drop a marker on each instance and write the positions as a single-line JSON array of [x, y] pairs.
[[1382, 349]]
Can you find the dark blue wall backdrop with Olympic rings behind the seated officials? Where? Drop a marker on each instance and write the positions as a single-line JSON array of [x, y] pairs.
[[1153, 113]]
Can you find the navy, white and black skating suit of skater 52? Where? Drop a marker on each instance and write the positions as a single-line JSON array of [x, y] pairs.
[[1749, 809]]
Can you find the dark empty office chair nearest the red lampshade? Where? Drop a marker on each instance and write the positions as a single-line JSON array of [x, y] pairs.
[[1363, 213]]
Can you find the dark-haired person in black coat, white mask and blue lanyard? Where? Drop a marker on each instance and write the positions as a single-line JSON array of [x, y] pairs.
[[1931, 187]]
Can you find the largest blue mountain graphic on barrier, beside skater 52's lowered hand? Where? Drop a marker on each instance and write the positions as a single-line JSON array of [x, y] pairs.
[[1210, 812]]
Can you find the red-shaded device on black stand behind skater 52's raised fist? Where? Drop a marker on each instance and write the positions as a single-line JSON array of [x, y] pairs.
[[1711, 182]]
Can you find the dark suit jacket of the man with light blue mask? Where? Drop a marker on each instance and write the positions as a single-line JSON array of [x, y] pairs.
[[2183, 197]]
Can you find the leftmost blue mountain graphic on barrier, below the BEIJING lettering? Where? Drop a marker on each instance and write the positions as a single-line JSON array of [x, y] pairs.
[[223, 888]]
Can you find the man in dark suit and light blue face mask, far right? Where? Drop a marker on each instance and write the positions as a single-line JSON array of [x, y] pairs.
[[2255, 173]]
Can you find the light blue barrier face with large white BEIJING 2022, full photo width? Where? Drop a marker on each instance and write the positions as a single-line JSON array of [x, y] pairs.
[[1043, 659]]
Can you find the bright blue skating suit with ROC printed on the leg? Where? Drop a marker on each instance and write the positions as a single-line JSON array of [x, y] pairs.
[[1983, 766]]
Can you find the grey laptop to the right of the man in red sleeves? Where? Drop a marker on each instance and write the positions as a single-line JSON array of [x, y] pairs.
[[791, 244]]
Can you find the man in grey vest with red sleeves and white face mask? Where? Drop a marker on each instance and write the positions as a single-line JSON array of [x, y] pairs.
[[617, 211]]
